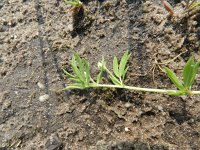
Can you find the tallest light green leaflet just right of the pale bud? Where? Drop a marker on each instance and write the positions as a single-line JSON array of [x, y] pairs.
[[123, 63]]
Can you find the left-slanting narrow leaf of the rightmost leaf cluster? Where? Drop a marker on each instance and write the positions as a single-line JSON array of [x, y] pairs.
[[174, 78]]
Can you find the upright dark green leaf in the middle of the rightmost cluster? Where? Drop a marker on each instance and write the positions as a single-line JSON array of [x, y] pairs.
[[187, 72]]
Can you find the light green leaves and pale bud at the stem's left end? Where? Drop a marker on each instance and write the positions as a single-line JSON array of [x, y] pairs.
[[81, 72]]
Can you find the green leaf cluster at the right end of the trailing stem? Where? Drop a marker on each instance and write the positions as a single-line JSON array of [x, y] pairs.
[[189, 74]]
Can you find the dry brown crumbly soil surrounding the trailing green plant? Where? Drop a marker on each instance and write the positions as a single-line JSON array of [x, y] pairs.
[[38, 38]]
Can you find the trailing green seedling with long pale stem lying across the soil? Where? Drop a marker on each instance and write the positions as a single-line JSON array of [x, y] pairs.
[[82, 79]]
